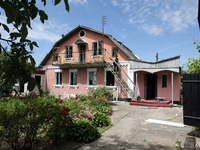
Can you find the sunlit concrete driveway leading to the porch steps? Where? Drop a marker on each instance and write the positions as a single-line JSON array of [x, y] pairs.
[[131, 131]]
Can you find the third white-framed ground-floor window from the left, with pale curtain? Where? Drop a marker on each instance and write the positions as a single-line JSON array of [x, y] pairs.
[[91, 77]]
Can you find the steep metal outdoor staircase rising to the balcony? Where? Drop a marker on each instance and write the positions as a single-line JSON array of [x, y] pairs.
[[119, 79]]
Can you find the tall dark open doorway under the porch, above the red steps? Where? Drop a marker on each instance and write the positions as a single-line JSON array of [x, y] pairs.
[[150, 86]]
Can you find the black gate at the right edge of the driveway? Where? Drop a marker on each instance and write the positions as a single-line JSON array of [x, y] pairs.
[[191, 99]]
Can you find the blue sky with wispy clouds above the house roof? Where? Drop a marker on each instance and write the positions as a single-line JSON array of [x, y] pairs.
[[145, 26]]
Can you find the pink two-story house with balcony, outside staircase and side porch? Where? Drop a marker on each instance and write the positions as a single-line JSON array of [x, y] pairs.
[[82, 59]]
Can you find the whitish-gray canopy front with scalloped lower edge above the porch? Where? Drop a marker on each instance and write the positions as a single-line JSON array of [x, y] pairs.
[[170, 64]]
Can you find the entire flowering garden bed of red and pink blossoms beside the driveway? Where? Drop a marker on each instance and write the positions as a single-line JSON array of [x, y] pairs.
[[51, 120]]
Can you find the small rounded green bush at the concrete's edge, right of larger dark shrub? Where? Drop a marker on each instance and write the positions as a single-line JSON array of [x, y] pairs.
[[101, 120]]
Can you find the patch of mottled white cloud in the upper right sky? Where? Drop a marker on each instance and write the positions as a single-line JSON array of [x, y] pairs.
[[158, 16]]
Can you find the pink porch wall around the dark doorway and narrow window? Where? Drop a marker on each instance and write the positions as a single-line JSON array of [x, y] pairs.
[[161, 92]]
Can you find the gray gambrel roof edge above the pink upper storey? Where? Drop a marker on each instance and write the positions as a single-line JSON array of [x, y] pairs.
[[125, 49]]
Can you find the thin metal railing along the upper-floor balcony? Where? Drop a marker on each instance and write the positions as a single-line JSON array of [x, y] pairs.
[[87, 57]]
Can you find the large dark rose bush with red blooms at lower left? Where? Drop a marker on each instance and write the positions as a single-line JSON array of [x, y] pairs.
[[23, 122]]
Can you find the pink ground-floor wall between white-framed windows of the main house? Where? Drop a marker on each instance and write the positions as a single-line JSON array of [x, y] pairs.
[[81, 81]]
